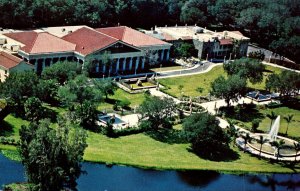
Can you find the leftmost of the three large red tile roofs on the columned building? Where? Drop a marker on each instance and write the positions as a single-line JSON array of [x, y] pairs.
[[36, 43]]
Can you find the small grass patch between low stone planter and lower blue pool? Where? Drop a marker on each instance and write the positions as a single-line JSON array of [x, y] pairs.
[[135, 99]]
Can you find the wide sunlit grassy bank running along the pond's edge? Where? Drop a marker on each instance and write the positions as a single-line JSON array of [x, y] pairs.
[[146, 151]]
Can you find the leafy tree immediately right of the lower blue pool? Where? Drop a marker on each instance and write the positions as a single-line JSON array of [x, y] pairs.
[[157, 111]]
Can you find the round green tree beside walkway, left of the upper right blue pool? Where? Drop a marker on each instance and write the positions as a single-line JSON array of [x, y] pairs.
[[230, 89]]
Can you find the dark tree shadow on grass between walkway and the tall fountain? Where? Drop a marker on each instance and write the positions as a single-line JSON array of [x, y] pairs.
[[244, 113]]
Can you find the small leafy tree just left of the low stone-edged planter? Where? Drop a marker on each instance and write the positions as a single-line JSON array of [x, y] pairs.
[[106, 86]]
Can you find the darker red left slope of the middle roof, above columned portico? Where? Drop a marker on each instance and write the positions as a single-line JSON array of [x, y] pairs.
[[89, 40]]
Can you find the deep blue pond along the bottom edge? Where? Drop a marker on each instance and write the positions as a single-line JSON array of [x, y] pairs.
[[122, 178]]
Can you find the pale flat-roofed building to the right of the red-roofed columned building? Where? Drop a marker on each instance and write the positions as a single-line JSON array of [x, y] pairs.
[[210, 44]]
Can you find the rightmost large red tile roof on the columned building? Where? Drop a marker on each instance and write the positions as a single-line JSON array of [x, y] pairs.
[[131, 36]]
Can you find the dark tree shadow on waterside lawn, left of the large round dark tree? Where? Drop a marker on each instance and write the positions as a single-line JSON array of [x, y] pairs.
[[170, 136]]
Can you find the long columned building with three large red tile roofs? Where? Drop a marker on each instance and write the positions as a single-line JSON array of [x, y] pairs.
[[126, 48]]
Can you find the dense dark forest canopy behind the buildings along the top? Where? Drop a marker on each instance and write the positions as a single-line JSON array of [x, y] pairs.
[[274, 24]]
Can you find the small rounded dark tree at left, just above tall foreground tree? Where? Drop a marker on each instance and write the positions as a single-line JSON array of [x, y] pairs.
[[33, 109]]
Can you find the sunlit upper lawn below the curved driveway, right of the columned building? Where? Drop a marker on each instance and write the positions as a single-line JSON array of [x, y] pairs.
[[191, 83]]
